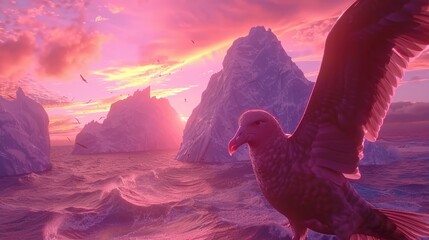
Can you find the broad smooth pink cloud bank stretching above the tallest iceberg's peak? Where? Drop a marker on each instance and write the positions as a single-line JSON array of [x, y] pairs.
[[175, 24]]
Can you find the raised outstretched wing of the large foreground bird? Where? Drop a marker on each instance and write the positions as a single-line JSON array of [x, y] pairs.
[[365, 55]]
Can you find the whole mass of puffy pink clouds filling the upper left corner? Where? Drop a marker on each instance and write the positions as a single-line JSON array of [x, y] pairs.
[[53, 35]]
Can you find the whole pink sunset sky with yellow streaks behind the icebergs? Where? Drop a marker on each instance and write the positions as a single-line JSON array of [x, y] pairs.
[[174, 46]]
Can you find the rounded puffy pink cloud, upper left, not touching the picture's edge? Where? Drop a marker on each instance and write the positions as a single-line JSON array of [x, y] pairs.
[[67, 50]]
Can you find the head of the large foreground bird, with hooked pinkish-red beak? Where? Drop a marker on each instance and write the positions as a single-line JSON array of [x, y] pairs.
[[256, 128]]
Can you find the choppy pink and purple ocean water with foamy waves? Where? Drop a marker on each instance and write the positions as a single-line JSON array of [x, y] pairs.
[[151, 196]]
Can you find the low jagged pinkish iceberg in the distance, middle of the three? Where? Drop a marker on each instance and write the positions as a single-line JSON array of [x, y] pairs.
[[137, 123]]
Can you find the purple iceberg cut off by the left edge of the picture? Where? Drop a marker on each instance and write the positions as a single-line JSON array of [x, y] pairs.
[[24, 136]]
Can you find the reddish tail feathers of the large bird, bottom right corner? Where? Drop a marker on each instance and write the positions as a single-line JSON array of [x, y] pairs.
[[409, 226]]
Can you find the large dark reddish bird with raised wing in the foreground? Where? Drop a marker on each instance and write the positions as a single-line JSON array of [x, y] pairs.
[[305, 175]]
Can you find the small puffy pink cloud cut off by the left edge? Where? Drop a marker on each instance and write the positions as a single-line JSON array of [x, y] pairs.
[[16, 55]]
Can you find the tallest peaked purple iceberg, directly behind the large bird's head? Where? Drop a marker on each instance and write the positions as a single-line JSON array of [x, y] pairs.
[[257, 73]]
